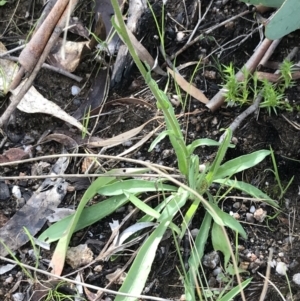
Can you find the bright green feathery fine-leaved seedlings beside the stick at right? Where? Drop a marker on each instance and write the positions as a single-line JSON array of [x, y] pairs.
[[243, 92]]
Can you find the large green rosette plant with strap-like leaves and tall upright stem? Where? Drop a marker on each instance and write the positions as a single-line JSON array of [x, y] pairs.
[[192, 192]]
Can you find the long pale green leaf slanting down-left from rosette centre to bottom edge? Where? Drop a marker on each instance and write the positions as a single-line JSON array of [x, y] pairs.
[[136, 278]]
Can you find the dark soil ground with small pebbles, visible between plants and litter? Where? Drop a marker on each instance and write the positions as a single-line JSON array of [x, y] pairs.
[[258, 131]]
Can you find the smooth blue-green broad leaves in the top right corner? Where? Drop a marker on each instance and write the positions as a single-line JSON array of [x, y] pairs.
[[285, 20]]
